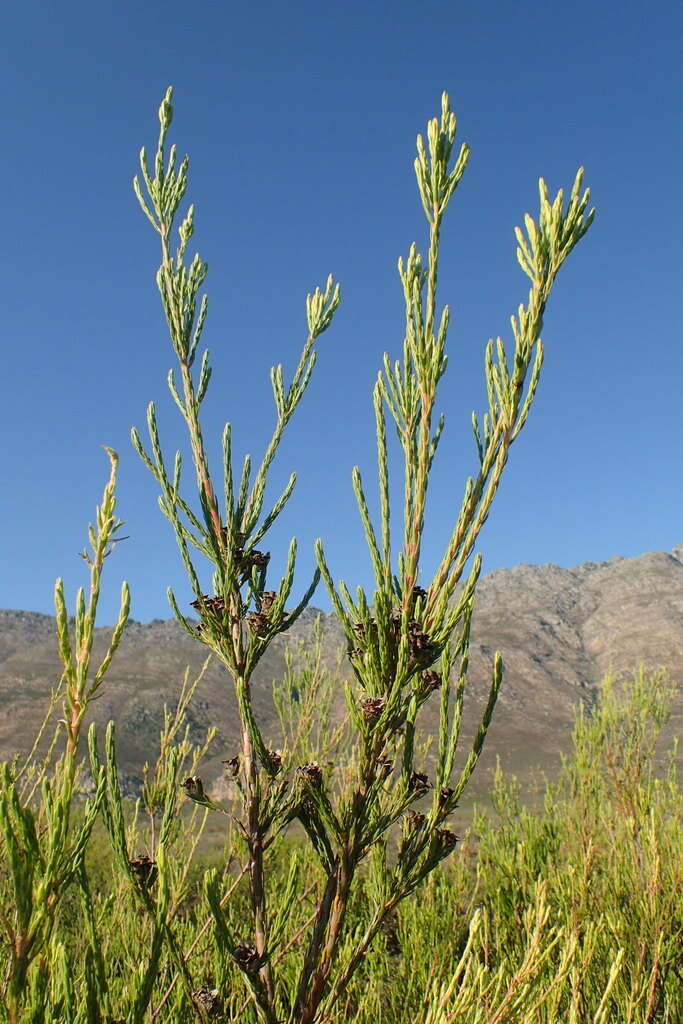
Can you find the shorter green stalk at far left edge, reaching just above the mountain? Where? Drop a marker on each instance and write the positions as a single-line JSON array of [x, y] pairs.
[[45, 858]]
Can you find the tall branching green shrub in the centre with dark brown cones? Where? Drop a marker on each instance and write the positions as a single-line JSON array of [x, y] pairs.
[[407, 644]]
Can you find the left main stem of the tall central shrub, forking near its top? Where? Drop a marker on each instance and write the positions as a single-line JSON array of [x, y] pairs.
[[237, 635]]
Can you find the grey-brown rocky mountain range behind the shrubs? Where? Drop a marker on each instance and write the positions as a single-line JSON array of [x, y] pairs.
[[560, 631]]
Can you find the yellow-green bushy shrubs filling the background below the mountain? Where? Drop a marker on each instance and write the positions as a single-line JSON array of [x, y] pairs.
[[573, 913]]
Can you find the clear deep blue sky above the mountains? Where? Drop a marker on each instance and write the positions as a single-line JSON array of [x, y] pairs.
[[301, 121]]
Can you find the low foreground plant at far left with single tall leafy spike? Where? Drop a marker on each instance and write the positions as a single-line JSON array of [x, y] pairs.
[[44, 852]]
